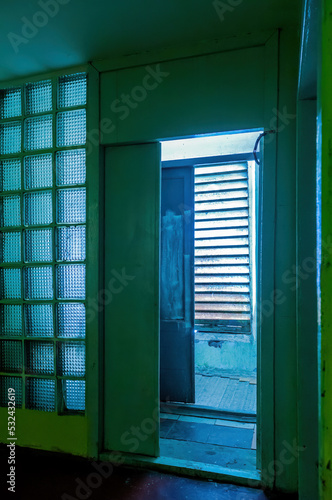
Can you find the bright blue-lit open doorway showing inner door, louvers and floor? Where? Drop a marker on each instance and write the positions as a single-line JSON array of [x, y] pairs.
[[208, 352]]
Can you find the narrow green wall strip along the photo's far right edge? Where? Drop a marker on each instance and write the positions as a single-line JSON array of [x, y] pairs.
[[325, 163]]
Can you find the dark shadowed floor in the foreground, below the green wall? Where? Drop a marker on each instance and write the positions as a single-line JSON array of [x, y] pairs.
[[49, 476]]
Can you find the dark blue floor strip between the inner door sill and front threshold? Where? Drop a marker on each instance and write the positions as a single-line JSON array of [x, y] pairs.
[[208, 431]]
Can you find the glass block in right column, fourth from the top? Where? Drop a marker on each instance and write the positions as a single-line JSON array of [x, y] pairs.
[[71, 206]]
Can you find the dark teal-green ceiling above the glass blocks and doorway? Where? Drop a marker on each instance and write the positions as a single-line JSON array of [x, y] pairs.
[[86, 30]]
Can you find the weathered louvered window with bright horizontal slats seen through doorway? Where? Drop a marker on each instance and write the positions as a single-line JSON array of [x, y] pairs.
[[222, 255]]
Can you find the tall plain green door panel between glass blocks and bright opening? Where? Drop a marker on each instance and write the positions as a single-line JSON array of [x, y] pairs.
[[131, 299]]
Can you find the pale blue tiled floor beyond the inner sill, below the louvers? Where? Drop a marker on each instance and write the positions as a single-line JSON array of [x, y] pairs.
[[225, 393]]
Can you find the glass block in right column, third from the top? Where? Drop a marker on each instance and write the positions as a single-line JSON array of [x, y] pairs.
[[70, 167]]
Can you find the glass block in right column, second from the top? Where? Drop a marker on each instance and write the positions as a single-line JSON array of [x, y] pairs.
[[71, 128]]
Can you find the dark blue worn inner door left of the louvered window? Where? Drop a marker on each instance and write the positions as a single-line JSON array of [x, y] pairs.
[[177, 363]]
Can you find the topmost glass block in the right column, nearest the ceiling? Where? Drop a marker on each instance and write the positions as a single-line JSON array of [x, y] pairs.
[[72, 90]]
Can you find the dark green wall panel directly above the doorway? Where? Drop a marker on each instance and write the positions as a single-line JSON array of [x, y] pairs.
[[206, 94]]
